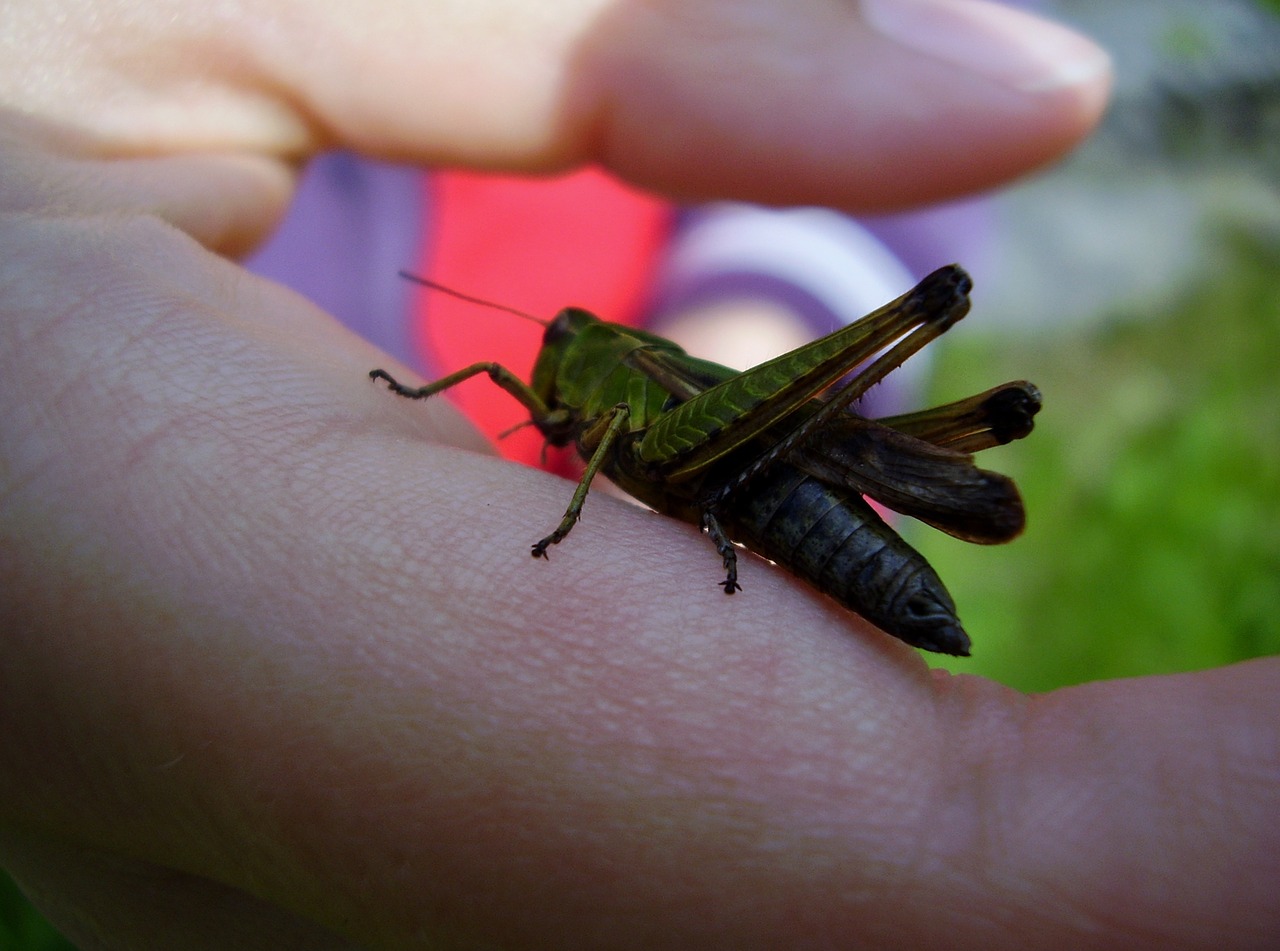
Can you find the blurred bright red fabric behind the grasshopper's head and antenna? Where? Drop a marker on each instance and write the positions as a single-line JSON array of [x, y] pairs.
[[537, 245]]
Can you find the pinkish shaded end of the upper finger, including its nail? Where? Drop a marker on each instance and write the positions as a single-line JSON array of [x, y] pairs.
[[875, 109]]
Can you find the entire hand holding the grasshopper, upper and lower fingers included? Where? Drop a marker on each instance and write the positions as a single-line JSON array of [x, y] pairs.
[[280, 671]]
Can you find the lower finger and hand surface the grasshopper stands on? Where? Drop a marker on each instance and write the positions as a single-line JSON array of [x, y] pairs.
[[269, 641]]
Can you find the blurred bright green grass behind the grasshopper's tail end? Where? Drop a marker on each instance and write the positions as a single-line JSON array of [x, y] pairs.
[[1153, 486]]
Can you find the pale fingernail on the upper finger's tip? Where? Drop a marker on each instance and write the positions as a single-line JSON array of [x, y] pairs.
[[1007, 45]]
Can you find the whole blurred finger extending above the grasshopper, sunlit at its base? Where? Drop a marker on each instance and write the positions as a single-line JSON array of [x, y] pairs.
[[867, 106]]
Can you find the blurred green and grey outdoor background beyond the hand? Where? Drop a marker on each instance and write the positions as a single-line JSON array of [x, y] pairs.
[[1141, 292]]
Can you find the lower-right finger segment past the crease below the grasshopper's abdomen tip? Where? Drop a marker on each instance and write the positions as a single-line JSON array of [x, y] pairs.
[[1135, 815]]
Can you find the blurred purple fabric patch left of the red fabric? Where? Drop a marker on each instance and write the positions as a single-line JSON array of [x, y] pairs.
[[353, 226]]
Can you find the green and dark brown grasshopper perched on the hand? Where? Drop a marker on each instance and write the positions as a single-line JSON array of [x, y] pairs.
[[774, 459]]
